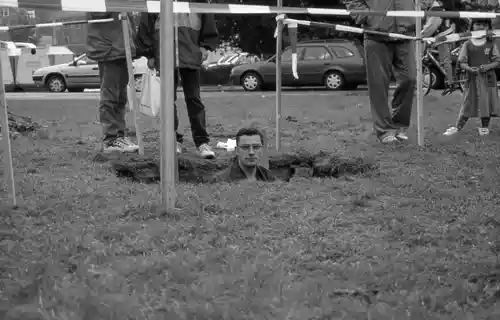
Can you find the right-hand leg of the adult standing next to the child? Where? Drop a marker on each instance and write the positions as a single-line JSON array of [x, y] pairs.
[[405, 71]]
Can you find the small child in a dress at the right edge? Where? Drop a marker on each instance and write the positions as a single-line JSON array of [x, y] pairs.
[[479, 58]]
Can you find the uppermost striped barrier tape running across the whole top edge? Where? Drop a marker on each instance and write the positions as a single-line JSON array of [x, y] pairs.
[[187, 7]]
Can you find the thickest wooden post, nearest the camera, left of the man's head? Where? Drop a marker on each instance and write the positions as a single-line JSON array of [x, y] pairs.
[[167, 135]]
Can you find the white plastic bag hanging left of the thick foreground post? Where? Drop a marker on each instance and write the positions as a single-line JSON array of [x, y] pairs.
[[149, 103]]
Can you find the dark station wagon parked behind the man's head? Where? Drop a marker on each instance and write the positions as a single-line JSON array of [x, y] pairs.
[[336, 64]]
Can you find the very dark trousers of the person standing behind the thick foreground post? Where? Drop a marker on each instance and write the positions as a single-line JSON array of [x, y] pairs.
[[196, 110]]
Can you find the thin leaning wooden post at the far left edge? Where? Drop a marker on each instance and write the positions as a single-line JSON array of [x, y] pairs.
[[5, 139]]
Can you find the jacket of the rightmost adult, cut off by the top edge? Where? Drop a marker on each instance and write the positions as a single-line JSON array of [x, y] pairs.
[[382, 23]]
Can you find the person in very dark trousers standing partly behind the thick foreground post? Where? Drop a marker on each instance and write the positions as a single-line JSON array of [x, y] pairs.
[[196, 35]]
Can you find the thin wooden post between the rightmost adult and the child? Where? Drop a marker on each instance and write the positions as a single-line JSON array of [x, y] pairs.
[[418, 57]]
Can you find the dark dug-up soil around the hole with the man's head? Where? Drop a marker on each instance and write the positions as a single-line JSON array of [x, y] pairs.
[[194, 169]]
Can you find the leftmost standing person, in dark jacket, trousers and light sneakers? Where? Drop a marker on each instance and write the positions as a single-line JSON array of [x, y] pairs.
[[106, 45]]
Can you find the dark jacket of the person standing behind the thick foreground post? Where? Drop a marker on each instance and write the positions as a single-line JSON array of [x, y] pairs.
[[195, 31]]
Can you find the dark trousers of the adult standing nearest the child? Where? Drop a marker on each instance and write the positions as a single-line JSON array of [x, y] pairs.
[[381, 57]]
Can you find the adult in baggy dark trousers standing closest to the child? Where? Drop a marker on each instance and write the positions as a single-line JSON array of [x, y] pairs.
[[383, 54]]
